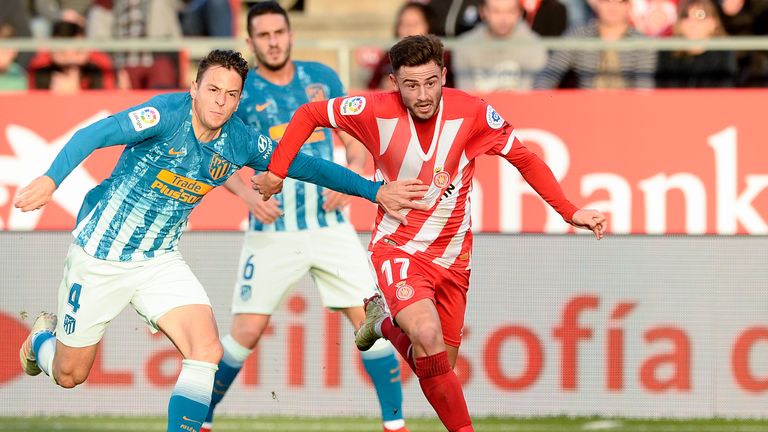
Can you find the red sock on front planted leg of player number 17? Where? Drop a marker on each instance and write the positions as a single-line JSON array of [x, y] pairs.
[[443, 391]]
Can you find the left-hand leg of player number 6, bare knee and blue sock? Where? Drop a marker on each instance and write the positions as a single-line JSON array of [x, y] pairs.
[[245, 333]]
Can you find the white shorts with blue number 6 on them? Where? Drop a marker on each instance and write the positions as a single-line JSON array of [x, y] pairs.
[[271, 264]]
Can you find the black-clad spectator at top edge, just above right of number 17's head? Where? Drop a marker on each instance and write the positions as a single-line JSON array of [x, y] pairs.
[[453, 17]]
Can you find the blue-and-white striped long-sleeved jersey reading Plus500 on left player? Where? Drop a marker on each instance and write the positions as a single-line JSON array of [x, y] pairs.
[[141, 210]]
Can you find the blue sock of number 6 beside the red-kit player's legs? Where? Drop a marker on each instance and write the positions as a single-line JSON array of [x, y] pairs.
[[384, 370]]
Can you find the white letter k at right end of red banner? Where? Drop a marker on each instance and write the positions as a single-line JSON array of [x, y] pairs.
[[733, 208]]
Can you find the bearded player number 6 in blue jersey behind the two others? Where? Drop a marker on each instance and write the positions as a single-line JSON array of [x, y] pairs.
[[302, 229]]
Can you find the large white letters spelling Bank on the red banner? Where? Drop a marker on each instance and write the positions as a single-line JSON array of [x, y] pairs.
[[732, 208]]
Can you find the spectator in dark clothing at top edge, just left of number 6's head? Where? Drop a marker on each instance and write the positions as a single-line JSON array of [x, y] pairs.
[[207, 18]]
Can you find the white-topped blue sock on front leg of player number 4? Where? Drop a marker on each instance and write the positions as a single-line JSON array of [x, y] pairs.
[[191, 396]]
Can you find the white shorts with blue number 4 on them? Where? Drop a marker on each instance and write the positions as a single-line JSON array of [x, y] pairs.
[[94, 291]]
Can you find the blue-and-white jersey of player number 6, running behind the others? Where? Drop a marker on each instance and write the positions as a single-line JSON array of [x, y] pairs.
[[269, 107]]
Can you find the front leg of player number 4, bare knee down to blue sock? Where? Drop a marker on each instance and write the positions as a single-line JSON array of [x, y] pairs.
[[193, 331]]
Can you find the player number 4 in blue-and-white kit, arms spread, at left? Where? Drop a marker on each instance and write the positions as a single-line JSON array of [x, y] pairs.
[[178, 147]]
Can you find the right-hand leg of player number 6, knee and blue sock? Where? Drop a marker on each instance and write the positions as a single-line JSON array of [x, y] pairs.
[[384, 370]]
